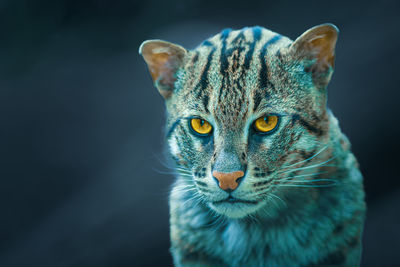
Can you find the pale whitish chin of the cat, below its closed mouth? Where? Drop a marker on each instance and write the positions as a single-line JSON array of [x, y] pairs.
[[235, 210]]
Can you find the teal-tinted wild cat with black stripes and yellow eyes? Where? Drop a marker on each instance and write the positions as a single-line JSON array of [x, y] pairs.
[[264, 175]]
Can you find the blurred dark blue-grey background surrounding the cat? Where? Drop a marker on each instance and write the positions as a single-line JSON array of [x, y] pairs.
[[81, 180]]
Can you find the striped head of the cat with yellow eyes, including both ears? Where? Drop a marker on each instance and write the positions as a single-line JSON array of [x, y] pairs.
[[242, 107]]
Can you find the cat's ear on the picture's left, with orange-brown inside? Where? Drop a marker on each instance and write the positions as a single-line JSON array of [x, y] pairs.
[[163, 60]]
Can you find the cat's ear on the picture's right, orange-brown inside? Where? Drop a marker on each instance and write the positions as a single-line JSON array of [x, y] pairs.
[[317, 45]]
